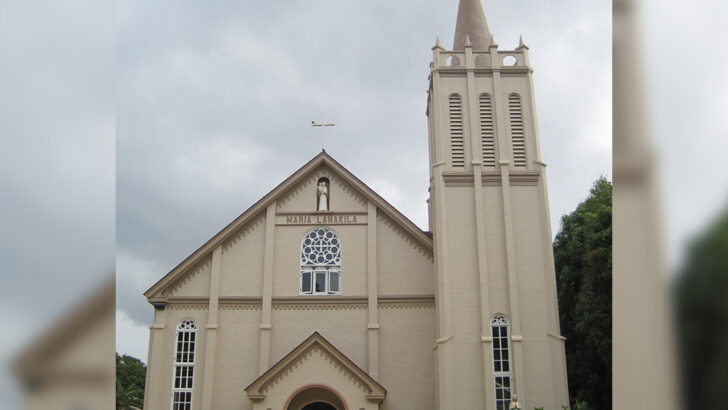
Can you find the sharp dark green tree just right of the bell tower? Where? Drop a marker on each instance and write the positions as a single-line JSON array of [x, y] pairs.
[[583, 259]]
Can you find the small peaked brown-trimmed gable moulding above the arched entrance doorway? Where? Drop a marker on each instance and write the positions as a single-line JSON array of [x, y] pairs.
[[256, 390]]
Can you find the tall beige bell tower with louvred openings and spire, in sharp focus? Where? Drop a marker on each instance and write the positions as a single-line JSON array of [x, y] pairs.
[[497, 314]]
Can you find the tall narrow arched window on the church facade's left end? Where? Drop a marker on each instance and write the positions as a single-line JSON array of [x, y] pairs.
[[184, 365]]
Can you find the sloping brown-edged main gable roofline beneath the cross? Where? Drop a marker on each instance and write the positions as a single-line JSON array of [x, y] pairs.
[[321, 159]]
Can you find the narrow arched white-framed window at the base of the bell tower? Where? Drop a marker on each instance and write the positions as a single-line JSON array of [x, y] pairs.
[[502, 374]]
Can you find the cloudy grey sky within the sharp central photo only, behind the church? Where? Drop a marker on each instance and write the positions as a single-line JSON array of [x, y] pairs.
[[214, 106]]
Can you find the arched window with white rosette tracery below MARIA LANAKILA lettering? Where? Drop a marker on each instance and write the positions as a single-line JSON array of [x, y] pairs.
[[320, 262]]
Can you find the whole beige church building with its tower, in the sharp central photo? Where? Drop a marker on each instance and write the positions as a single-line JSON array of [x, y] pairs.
[[322, 295]]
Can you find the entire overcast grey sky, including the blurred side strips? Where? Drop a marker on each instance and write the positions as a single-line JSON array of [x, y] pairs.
[[211, 105]]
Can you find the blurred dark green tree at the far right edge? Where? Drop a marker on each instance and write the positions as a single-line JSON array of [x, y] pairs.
[[701, 296]]
